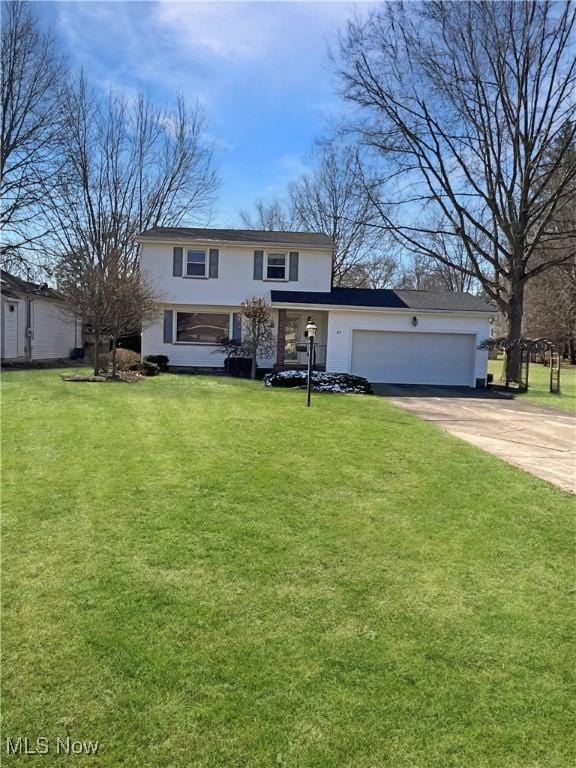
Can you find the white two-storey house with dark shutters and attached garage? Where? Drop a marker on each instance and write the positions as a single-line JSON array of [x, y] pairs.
[[392, 336]]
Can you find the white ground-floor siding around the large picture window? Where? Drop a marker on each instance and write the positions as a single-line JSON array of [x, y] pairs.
[[189, 355]]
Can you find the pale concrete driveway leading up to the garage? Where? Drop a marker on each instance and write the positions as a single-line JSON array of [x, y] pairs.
[[540, 440]]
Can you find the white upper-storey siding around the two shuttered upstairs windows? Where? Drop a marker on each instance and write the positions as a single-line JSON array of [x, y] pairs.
[[235, 281]]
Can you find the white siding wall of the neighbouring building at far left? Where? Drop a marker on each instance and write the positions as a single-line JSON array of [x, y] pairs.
[[55, 331]]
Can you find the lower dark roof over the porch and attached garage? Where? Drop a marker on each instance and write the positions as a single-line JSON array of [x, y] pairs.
[[388, 298]]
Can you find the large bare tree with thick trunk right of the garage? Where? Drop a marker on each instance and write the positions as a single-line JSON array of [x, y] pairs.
[[465, 101]]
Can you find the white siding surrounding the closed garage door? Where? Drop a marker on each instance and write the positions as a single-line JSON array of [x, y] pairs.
[[341, 325]]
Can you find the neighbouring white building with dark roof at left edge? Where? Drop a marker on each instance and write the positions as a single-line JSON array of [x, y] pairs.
[[35, 326]]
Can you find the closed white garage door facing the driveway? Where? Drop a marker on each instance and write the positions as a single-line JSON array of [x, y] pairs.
[[414, 358]]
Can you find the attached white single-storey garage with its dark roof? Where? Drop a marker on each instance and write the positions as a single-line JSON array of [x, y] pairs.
[[401, 336]]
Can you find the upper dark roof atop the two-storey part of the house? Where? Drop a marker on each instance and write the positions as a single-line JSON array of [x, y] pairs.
[[239, 236]]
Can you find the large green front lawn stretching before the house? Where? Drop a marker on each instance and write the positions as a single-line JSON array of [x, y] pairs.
[[199, 572]]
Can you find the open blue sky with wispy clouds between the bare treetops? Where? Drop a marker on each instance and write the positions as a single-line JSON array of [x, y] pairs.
[[260, 69]]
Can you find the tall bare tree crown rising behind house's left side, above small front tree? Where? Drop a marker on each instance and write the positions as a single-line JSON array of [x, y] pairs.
[[124, 168]]
